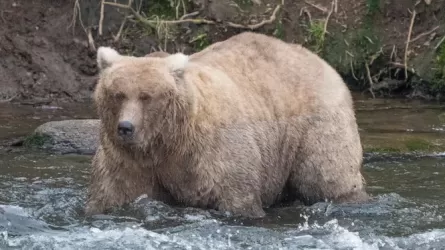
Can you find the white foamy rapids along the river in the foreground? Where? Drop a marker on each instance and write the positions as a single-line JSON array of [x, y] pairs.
[[210, 234]]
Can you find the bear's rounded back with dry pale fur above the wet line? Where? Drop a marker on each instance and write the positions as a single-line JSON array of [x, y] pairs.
[[268, 72]]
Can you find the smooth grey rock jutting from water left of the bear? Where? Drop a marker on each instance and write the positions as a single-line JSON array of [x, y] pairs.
[[66, 137]]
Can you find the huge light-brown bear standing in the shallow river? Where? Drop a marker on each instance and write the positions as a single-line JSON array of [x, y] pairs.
[[244, 124]]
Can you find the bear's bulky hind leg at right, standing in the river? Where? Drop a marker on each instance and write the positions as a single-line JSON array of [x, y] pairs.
[[328, 163]]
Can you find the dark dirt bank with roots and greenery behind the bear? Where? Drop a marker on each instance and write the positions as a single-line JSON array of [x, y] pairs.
[[46, 57]]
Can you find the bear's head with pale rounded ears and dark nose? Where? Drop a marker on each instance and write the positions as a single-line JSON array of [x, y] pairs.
[[140, 99]]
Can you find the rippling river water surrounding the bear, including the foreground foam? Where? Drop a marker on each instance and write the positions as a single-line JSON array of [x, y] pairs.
[[42, 195]]
